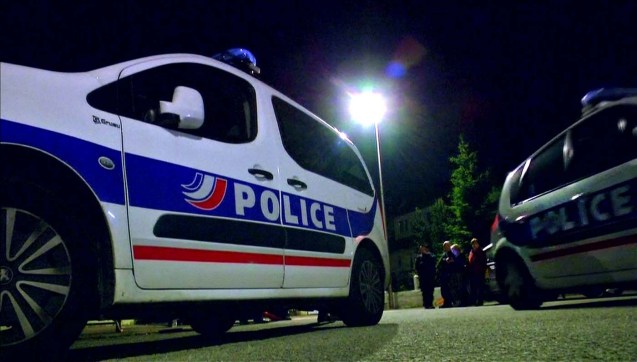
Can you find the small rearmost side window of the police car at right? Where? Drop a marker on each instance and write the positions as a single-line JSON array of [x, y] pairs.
[[545, 171]]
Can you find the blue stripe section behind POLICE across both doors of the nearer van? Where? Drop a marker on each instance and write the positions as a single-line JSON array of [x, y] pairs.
[[165, 186]]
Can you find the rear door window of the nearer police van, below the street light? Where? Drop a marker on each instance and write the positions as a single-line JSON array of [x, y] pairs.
[[318, 148]]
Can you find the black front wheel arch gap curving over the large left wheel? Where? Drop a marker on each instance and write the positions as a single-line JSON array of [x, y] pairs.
[[24, 164]]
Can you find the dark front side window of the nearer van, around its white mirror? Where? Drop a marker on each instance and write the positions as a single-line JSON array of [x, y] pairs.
[[229, 101]]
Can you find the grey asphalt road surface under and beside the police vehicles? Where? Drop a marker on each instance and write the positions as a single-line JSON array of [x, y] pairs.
[[567, 330]]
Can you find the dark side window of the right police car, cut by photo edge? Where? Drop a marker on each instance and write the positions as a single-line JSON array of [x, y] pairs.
[[605, 140]]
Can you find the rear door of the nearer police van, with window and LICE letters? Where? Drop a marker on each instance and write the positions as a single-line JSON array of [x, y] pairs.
[[315, 200]]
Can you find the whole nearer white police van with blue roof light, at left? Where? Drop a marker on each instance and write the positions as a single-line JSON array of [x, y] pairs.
[[179, 186]]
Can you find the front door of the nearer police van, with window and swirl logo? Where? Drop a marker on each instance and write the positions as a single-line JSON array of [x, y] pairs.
[[203, 203]]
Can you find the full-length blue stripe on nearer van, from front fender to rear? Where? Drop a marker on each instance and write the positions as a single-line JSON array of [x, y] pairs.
[[145, 191]]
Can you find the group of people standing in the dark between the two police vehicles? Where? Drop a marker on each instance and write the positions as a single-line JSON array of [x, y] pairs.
[[461, 279]]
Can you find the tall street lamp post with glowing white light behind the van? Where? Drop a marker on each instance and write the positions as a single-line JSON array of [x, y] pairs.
[[367, 108]]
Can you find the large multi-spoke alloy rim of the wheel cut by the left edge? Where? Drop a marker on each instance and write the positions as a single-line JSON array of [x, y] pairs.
[[35, 275]]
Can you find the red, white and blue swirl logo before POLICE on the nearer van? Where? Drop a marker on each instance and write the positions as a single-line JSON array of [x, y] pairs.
[[205, 192]]
